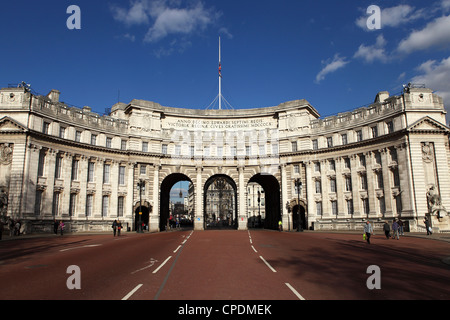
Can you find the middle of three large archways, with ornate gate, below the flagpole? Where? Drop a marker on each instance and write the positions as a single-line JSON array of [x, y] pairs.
[[220, 203]]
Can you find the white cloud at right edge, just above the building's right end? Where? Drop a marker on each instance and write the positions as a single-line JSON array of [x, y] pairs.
[[436, 75]]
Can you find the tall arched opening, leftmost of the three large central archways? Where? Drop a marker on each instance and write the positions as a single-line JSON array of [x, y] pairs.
[[167, 217]]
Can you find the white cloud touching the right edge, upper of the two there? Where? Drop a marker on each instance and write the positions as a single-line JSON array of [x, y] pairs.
[[435, 34]]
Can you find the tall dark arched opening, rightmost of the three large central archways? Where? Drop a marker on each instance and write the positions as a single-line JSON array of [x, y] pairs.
[[272, 207]]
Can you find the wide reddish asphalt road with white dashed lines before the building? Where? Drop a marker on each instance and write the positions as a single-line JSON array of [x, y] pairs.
[[223, 265]]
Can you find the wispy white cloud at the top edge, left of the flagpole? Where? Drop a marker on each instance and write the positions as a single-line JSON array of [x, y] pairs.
[[166, 17]]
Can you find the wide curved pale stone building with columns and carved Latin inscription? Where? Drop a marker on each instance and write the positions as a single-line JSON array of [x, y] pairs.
[[384, 161]]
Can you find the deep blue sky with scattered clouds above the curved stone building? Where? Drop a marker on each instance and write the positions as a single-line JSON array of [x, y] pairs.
[[272, 51]]
